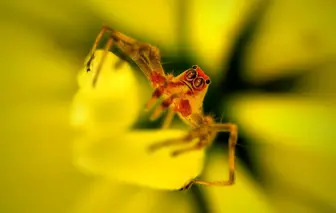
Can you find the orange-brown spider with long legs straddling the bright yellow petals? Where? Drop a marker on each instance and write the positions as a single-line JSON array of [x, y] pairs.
[[182, 95]]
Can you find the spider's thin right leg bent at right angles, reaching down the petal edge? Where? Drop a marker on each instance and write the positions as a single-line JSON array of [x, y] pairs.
[[232, 129]]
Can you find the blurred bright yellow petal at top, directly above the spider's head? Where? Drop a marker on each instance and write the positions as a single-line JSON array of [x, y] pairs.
[[214, 27]]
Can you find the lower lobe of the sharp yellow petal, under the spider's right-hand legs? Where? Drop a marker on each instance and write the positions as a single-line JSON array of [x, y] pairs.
[[125, 157]]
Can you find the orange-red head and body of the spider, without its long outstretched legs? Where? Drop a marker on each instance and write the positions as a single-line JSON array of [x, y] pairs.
[[184, 93]]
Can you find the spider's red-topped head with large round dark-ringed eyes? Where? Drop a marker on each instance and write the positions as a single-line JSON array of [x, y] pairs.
[[196, 79]]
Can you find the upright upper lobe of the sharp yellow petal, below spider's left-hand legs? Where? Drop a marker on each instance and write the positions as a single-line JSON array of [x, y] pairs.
[[113, 104]]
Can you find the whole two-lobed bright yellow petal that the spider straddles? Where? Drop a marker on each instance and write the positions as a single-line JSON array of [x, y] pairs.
[[109, 147]]
